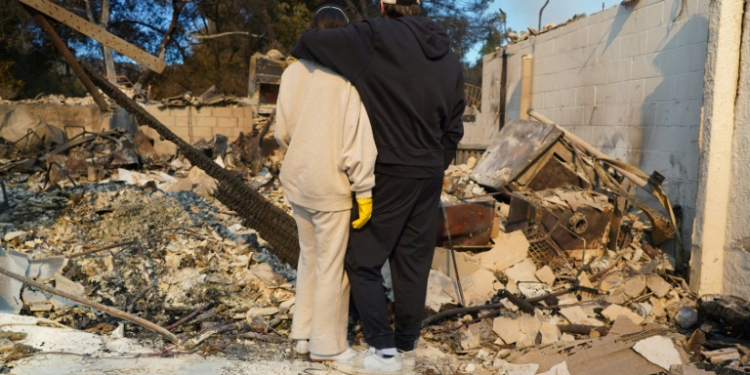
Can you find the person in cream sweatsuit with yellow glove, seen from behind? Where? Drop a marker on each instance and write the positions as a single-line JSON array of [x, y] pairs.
[[330, 156]]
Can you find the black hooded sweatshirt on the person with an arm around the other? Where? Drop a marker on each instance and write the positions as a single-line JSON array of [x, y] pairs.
[[411, 85]]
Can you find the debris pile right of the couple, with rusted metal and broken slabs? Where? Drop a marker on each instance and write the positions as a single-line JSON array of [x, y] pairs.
[[559, 277]]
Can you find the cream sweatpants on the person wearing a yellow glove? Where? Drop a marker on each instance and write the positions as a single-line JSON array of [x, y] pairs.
[[321, 308]]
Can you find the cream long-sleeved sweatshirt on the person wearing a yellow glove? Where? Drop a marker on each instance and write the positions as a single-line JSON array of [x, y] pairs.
[[330, 149]]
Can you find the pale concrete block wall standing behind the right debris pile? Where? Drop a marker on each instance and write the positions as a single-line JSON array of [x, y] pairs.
[[628, 80]]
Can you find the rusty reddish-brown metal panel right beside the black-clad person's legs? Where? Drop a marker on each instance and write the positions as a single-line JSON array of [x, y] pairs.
[[470, 224]]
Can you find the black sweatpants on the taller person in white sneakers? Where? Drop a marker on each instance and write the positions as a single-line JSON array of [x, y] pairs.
[[402, 230]]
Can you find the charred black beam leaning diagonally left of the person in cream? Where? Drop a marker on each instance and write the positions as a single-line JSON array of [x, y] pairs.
[[273, 224]]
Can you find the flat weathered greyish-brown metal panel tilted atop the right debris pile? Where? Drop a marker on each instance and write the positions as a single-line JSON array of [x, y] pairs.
[[513, 149]]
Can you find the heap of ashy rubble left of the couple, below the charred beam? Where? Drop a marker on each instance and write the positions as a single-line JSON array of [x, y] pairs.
[[173, 258]]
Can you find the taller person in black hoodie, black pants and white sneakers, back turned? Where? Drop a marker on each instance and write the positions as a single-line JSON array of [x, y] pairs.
[[411, 84]]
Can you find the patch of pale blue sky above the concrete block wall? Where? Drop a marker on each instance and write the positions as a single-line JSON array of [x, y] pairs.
[[524, 13]]
